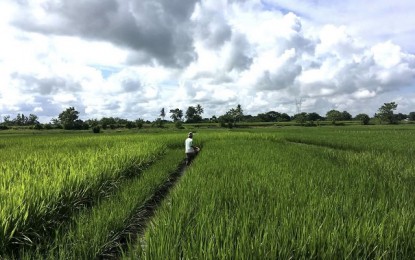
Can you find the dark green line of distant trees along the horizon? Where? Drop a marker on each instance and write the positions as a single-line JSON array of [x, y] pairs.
[[69, 118]]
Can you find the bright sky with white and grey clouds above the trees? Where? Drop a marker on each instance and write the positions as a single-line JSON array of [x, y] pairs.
[[130, 58]]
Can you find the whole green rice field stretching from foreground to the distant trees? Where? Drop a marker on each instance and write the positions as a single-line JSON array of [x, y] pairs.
[[289, 192]]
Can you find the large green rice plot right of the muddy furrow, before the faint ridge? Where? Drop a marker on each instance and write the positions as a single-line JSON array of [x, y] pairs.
[[250, 197]]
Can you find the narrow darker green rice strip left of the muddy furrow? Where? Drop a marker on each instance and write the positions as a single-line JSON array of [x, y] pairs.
[[96, 230]]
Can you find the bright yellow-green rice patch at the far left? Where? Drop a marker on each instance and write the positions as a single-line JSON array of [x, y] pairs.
[[47, 178]]
